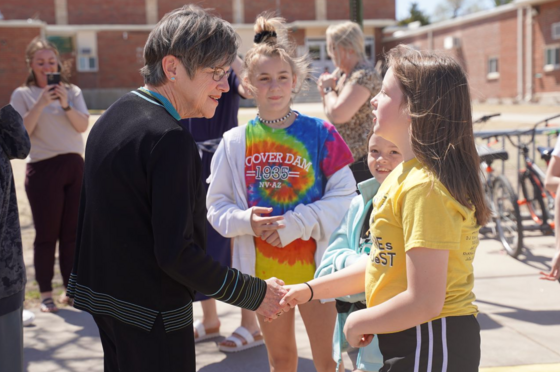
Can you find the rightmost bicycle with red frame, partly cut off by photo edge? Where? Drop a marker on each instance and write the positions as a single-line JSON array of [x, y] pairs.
[[539, 201]]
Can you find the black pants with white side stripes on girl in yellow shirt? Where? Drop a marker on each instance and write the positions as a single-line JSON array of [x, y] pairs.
[[449, 344]]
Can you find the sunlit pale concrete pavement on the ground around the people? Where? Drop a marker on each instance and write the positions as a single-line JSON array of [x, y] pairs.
[[520, 321]]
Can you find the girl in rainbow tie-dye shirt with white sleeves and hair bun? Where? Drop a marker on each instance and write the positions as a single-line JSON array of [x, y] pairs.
[[280, 185]]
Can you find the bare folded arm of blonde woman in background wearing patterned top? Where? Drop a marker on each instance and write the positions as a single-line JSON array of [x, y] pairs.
[[340, 108]]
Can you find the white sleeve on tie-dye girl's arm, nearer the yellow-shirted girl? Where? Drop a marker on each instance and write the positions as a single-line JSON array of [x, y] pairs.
[[319, 220]]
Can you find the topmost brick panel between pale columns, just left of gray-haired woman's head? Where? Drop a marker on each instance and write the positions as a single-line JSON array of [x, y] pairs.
[[87, 12]]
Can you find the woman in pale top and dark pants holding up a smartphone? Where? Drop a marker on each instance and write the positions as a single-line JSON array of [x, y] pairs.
[[55, 116]]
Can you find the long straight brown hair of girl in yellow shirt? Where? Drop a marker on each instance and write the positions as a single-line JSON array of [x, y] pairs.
[[437, 97]]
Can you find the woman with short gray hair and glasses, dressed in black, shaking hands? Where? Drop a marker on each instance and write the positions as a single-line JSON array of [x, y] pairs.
[[140, 251]]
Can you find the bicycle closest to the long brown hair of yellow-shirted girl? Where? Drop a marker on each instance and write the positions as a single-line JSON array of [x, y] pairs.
[[501, 198]]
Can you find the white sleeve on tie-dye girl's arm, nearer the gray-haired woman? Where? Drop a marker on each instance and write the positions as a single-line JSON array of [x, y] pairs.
[[224, 214]]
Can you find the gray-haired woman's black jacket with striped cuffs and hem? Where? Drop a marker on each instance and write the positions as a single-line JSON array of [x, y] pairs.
[[141, 234]]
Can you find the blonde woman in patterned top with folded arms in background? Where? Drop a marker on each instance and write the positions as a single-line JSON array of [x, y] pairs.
[[347, 91]]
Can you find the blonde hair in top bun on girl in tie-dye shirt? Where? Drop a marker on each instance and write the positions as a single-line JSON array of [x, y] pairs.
[[271, 40]]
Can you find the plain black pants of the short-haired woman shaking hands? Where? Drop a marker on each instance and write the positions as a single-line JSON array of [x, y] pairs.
[[130, 349]]
